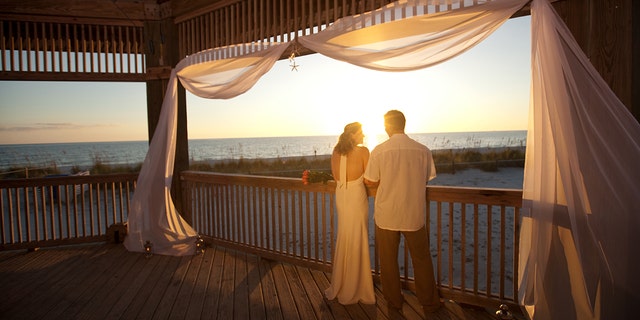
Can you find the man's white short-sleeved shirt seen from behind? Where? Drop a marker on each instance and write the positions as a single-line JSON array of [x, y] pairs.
[[403, 167]]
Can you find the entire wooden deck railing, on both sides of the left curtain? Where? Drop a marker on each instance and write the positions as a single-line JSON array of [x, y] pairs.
[[473, 232]]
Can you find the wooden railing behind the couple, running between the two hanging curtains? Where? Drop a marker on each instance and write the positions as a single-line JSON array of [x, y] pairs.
[[473, 232]]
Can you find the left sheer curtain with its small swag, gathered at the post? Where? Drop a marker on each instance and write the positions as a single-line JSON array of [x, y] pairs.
[[217, 74]]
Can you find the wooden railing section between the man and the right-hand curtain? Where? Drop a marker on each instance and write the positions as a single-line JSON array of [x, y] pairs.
[[476, 233]]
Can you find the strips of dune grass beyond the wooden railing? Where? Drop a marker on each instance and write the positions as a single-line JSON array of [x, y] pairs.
[[447, 161]]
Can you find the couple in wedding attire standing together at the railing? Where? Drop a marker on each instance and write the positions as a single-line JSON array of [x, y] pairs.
[[400, 169]]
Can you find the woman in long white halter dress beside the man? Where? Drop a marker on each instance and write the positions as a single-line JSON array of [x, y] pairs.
[[351, 279]]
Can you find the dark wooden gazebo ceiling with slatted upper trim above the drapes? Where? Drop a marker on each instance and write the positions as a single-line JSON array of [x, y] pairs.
[[124, 40]]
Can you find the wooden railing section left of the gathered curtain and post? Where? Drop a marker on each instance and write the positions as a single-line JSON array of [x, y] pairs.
[[62, 210]]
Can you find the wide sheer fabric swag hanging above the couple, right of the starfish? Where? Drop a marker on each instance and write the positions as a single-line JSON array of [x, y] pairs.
[[409, 37]]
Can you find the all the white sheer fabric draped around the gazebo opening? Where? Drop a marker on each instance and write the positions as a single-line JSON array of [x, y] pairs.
[[581, 184]]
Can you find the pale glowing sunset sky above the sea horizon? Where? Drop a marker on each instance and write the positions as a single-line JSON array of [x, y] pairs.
[[484, 89]]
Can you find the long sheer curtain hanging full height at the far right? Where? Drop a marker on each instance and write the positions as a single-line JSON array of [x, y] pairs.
[[581, 186]]
